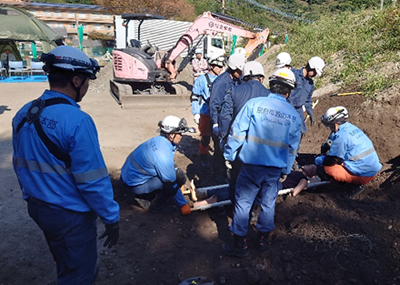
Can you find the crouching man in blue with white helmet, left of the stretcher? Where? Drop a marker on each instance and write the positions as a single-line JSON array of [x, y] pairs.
[[149, 171]]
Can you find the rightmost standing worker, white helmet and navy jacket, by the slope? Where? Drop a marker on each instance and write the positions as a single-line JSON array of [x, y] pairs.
[[302, 94]]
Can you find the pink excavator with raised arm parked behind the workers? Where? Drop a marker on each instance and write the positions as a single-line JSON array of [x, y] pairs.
[[145, 70]]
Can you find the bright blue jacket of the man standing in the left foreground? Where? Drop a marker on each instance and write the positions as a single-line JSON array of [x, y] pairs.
[[86, 185]]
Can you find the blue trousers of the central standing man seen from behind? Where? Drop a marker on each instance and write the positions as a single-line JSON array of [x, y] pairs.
[[255, 180]]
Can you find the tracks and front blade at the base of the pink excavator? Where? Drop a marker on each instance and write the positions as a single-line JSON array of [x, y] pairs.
[[160, 95]]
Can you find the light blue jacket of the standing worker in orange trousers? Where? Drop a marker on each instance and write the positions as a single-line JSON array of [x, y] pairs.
[[201, 88]]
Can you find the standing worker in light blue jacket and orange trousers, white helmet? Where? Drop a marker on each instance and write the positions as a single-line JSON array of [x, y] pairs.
[[200, 104]]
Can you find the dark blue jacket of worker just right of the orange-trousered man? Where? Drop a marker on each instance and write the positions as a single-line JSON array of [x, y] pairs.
[[220, 86]]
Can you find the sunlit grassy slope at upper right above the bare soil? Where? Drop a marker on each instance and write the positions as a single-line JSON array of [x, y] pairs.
[[361, 44]]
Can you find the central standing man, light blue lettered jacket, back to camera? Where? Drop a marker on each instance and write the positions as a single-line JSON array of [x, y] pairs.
[[267, 133]]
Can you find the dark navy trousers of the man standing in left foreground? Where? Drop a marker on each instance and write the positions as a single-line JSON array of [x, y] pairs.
[[72, 239]]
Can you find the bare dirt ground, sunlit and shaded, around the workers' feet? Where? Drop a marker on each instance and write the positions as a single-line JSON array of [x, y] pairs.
[[321, 236]]
